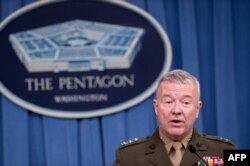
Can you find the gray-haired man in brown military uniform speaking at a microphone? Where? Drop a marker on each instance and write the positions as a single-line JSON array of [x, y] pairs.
[[176, 142]]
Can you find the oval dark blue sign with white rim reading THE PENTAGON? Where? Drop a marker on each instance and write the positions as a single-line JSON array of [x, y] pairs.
[[82, 60]]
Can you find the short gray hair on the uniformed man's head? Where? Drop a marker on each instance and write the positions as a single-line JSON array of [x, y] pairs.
[[180, 77]]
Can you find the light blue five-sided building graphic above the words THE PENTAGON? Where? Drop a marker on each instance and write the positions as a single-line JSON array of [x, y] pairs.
[[77, 45]]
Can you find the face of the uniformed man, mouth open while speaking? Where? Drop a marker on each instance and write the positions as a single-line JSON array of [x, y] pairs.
[[177, 107]]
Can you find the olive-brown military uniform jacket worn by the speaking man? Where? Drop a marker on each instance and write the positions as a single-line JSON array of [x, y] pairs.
[[151, 151]]
